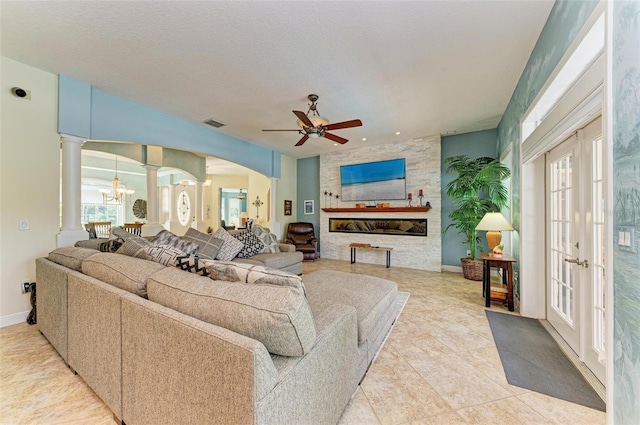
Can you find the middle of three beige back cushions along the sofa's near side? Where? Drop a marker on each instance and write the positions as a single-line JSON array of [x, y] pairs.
[[123, 272]]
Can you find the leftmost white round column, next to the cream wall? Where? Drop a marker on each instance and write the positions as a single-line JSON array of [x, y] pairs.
[[71, 230]]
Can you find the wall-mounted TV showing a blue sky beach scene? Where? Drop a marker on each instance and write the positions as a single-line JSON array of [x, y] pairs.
[[373, 181]]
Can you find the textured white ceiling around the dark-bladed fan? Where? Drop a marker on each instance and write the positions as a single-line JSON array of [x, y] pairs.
[[418, 68]]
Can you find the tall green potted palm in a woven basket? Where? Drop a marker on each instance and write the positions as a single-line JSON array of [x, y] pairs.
[[476, 190]]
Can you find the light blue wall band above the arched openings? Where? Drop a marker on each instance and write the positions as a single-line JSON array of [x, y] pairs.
[[87, 112]]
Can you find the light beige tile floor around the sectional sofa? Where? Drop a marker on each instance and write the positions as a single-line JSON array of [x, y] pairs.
[[439, 366]]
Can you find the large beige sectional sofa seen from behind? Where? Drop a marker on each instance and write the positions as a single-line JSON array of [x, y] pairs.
[[160, 345]]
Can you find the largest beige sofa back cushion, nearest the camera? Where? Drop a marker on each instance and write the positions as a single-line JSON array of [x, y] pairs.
[[277, 316]]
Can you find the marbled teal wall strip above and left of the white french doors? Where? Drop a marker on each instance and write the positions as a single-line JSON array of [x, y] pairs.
[[566, 19]]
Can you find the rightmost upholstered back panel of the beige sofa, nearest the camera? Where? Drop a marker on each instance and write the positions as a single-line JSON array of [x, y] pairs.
[[205, 370]]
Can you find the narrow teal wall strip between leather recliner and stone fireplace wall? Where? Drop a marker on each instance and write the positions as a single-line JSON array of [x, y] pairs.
[[309, 188]]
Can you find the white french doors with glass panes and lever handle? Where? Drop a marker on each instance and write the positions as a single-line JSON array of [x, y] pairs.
[[576, 244]]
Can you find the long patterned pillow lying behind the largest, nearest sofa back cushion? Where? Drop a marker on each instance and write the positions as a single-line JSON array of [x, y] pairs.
[[249, 273]]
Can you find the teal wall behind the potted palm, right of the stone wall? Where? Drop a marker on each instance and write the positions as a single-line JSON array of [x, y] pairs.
[[476, 144]]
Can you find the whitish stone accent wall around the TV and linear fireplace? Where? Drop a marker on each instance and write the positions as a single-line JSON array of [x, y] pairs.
[[422, 158]]
